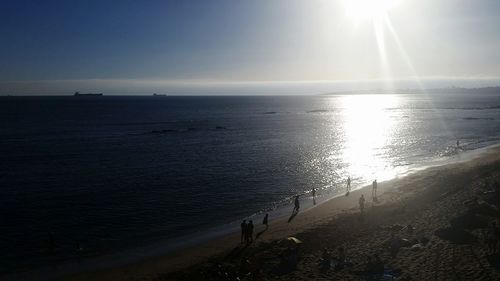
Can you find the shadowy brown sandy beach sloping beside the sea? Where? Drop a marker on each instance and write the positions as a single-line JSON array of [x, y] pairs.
[[448, 207]]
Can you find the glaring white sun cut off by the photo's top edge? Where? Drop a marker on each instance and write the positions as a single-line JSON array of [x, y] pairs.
[[361, 10]]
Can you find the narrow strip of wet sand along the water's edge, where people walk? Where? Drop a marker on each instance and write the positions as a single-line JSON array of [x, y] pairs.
[[320, 214]]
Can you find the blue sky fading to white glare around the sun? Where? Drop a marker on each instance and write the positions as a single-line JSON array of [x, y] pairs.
[[245, 47]]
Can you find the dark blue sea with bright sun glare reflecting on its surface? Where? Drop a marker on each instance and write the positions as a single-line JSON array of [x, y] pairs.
[[101, 174]]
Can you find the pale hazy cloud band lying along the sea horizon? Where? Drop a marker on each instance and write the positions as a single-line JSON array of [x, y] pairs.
[[218, 87]]
